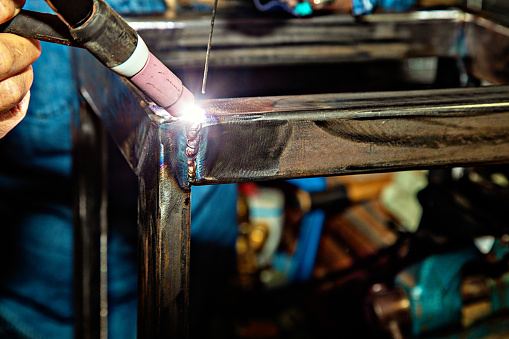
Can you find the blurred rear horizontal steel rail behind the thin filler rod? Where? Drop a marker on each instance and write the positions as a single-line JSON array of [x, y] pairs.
[[249, 41]]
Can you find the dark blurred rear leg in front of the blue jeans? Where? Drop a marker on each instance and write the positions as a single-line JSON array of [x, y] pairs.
[[90, 239]]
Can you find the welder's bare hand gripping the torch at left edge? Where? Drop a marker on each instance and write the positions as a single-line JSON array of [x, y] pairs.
[[16, 56]]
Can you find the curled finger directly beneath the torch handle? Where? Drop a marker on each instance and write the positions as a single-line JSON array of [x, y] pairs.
[[16, 53]]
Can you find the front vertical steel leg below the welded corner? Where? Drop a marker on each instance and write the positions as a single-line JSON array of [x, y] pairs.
[[163, 247]]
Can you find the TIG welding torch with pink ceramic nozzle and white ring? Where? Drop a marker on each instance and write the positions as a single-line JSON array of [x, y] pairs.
[[95, 26]]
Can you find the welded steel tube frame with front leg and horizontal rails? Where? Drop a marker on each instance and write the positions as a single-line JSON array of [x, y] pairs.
[[247, 139]]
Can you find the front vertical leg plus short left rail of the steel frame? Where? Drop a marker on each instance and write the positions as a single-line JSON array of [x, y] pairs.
[[151, 145]]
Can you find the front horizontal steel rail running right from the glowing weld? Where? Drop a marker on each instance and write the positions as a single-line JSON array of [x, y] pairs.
[[298, 136]]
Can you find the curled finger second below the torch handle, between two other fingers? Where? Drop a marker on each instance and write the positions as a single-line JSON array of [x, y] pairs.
[[14, 89]]
